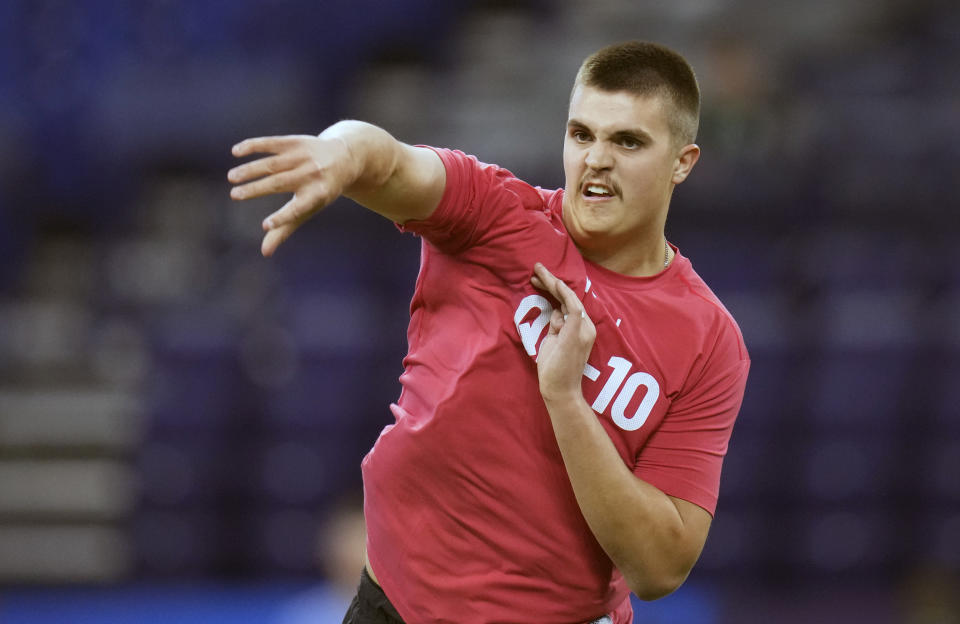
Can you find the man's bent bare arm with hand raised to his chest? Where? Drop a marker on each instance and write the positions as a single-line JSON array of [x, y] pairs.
[[653, 539]]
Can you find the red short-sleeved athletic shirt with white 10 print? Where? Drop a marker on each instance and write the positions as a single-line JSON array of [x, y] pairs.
[[471, 517]]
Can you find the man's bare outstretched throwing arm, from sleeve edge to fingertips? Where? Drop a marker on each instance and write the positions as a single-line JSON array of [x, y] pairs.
[[351, 158]]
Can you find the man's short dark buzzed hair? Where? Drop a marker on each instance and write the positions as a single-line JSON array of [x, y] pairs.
[[648, 69]]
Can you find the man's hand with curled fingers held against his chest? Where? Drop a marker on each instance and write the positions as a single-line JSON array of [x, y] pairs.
[[566, 347]]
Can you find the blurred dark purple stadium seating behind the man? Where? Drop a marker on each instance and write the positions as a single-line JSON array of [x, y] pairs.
[[180, 418]]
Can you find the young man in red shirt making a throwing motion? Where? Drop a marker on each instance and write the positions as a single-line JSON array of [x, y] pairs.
[[571, 383]]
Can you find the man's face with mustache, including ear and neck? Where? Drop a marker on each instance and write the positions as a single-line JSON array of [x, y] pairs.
[[621, 164]]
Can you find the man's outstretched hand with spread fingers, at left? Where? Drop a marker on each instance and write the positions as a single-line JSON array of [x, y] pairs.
[[315, 169]]
